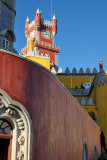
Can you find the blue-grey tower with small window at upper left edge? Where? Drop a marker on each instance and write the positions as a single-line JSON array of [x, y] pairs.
[[7, 17]]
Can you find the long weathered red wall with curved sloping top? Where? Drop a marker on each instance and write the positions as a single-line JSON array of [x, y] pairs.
[[60, 125]]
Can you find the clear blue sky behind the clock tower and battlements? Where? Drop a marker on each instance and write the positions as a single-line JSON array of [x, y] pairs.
[[82, 29]]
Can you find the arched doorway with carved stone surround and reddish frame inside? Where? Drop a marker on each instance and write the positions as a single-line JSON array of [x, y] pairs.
[[15, 130]]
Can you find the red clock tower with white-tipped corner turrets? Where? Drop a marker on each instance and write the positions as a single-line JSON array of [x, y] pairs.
[[40, 34]]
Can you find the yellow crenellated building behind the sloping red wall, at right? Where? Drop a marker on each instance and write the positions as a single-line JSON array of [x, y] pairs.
[[90, 90]]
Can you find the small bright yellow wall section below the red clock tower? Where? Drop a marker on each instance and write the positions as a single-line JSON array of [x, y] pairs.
[[42, 61]]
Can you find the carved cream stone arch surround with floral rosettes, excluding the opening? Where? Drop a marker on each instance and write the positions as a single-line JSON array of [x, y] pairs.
[[22, 131]]
